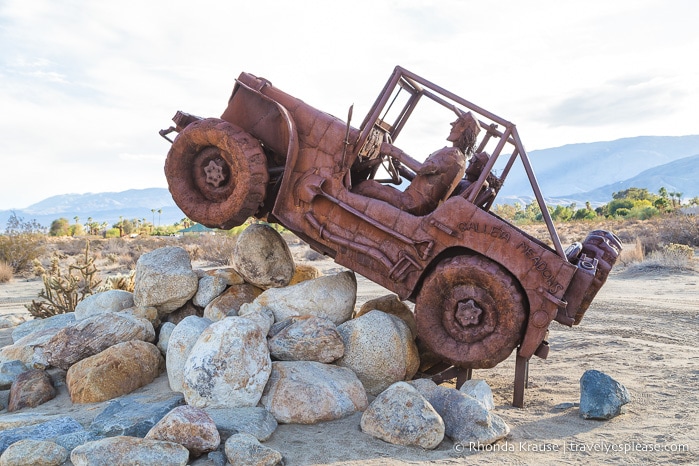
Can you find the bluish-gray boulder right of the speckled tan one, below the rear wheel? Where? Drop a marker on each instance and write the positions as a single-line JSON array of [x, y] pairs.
[[466, 420]]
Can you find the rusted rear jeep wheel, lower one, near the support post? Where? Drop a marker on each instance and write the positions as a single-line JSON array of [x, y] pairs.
[[471, 312]]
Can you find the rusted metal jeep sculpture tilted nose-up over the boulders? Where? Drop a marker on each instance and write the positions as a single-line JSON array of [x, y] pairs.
[[481, 287]]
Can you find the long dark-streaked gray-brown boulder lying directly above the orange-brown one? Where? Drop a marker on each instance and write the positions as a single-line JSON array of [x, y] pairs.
[[89, 336]]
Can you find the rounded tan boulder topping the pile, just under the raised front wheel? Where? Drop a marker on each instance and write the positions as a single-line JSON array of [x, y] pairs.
[[263, 258]]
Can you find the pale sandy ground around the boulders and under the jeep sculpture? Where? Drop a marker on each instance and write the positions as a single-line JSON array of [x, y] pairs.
[[641, 330]]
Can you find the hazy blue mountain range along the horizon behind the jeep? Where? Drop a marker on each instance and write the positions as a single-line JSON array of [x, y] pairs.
[[572, 173]]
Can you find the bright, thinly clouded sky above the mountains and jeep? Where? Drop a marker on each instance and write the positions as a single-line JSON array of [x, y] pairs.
[[85, 86]]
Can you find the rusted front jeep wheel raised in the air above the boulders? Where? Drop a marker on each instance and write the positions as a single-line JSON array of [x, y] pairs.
[[217, 173]]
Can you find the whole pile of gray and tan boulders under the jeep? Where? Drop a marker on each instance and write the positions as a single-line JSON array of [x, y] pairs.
[[245, 348]]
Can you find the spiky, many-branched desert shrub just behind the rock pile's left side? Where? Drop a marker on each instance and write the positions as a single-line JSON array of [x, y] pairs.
[[63, 290]]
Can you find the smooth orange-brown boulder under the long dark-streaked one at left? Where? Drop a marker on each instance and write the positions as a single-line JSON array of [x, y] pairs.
[[116, 371]]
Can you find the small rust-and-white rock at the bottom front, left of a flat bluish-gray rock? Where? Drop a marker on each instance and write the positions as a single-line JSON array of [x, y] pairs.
[[191, 427]]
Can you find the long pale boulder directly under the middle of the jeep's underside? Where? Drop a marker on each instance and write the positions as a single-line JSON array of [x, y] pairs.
[[331, 297]]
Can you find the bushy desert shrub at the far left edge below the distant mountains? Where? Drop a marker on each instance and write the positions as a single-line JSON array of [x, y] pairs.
[[22, 242]]
